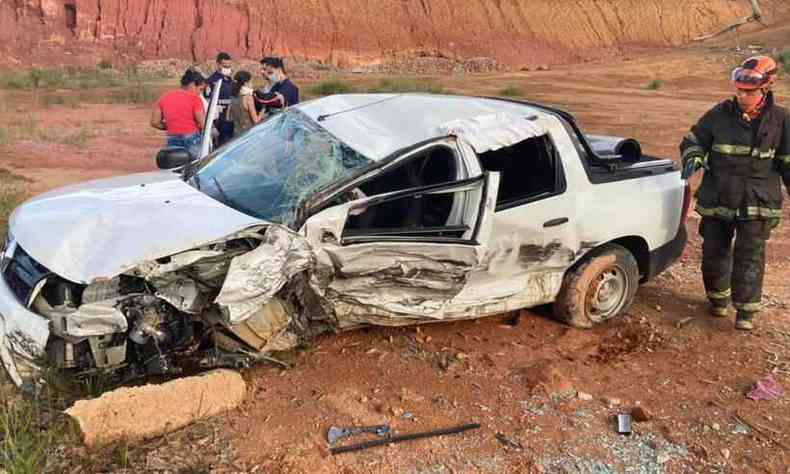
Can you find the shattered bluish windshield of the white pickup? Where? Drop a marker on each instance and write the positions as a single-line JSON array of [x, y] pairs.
[[272, 169]]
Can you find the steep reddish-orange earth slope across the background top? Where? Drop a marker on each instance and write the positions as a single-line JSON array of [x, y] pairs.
[[350, 32]]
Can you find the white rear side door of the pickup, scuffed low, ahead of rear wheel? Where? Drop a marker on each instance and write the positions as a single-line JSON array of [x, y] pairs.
[[535, 237]]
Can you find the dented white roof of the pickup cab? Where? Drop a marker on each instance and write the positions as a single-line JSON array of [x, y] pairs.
[[377, 125]]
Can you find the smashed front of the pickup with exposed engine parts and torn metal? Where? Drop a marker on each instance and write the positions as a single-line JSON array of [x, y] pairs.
[[166, 315]]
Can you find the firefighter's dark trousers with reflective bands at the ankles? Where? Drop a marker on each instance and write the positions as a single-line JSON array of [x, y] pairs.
[[734, 273]]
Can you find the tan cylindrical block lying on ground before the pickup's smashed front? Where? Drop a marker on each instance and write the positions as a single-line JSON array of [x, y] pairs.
[[140, 413]]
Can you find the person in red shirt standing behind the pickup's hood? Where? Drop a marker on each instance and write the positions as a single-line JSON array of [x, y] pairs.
[[180, 112]]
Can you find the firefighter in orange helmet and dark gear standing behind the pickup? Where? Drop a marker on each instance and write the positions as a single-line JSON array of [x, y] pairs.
[[744, 146]]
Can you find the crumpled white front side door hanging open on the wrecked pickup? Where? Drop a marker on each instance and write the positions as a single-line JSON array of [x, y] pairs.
[[409, 269]]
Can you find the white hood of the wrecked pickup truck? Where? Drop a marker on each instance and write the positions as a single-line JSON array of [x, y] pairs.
[[102, 228]]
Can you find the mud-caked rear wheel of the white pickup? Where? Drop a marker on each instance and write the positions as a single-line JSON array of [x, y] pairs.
[[600, 288]]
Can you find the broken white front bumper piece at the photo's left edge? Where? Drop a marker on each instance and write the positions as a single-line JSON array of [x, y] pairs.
[[23, 338]]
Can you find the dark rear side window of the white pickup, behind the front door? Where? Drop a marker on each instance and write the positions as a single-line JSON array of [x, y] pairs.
[[529, 170]]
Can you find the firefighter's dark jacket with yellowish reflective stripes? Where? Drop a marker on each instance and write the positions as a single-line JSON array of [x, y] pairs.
[[745, 162]]
